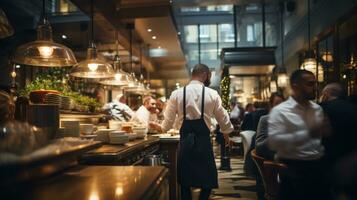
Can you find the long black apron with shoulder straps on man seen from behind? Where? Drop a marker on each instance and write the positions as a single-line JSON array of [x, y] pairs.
[[196, 164]]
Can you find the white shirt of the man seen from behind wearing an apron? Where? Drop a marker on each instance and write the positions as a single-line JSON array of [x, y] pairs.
[[212, 108]]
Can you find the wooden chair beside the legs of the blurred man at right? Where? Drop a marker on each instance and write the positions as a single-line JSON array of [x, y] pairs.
[[269, 171]]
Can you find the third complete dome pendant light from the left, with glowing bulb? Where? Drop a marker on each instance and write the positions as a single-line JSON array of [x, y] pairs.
[[120, 78]]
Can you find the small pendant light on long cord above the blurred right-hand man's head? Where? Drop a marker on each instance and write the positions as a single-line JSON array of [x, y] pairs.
[[282, 75]]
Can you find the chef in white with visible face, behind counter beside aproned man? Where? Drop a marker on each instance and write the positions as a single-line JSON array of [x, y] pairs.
[[147, 112]]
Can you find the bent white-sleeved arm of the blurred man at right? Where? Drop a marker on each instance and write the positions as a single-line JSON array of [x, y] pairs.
[[278, 137]]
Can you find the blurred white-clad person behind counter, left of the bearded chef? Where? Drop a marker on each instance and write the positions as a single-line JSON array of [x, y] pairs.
[[118, 109]]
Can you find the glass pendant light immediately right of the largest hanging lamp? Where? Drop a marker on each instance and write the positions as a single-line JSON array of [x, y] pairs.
[[93, 67]]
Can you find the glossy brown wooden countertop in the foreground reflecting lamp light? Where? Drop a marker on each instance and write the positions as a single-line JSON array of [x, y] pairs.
[[96, 183]]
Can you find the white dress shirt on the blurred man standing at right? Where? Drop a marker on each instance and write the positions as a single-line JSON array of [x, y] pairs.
[[289, 124]]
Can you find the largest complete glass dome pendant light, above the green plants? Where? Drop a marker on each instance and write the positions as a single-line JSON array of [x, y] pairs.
[[44, 52]]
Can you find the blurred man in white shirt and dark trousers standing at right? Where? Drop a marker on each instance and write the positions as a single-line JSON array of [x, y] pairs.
[[292, 127]]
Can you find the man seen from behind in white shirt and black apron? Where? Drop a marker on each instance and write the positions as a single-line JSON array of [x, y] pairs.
[[195, 105]]
